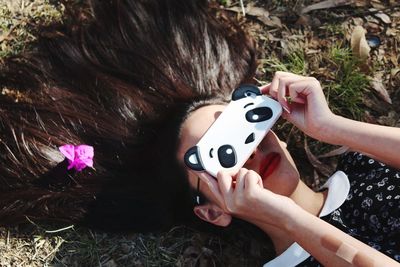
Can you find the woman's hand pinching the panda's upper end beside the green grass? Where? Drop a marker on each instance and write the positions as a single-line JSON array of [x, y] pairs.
[[307, 107]]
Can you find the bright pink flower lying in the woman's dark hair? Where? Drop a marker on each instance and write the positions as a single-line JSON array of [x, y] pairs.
[[79, 157]]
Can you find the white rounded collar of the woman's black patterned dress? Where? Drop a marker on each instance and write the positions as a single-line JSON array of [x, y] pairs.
[[338, 188]]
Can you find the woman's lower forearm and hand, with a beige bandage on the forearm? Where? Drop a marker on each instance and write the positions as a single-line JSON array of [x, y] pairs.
[[247, 199]]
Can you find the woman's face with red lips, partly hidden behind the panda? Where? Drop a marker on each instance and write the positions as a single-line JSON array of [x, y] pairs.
[[270, 159]]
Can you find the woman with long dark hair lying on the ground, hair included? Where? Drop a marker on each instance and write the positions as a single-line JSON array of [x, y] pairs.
[[139, 83]]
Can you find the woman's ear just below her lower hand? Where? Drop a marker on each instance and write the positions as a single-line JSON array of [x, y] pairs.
[[213, 214]]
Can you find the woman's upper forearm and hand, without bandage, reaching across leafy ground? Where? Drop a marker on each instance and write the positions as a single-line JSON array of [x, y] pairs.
[[309, 111]]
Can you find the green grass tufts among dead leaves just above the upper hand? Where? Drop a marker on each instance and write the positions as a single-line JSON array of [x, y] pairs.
[[342, 79]]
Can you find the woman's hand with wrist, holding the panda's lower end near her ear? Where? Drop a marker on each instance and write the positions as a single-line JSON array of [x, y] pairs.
[[244, 196]]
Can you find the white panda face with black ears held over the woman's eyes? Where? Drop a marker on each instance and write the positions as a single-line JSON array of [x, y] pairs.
[[232, 138]]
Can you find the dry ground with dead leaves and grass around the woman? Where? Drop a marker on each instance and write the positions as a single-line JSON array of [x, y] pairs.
[[353, 49]]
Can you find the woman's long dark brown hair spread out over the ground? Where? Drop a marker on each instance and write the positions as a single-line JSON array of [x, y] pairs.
[[121, 82]]
